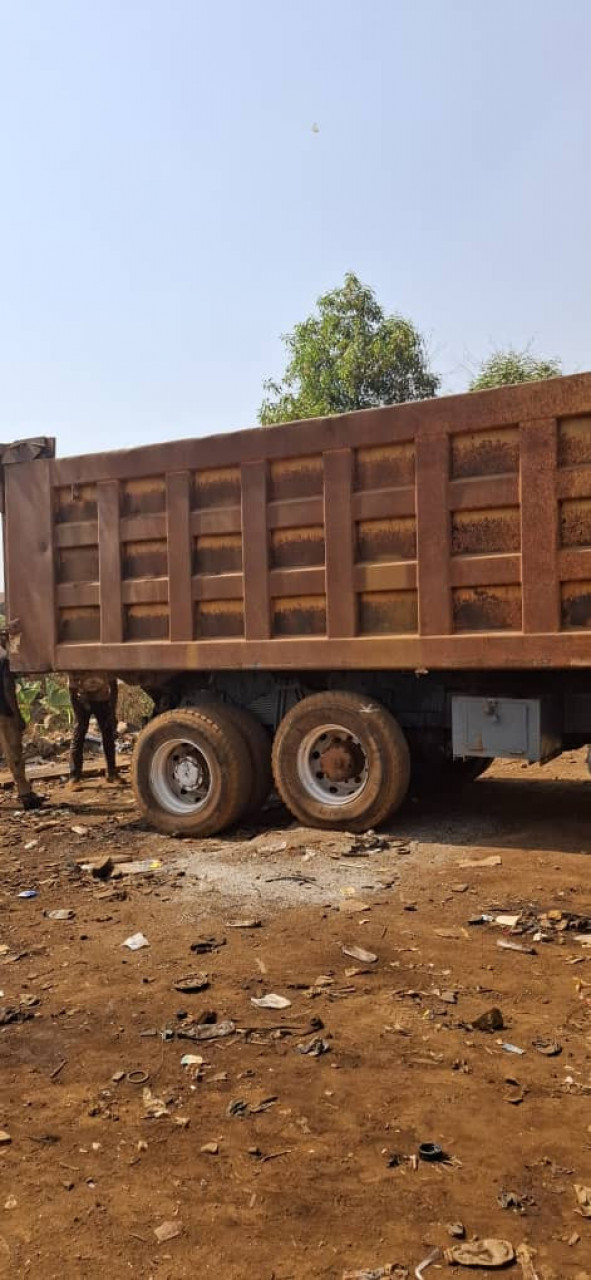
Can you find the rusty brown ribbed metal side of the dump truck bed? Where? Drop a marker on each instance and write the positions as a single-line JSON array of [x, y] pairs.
[[445, 534]]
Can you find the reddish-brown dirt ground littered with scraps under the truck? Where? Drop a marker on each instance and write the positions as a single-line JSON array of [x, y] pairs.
[[313, 1169]]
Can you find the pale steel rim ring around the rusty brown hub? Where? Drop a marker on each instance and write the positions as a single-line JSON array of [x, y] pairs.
[[318, 785]]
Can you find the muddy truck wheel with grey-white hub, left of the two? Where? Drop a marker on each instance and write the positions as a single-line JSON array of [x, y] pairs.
[[193, 772]]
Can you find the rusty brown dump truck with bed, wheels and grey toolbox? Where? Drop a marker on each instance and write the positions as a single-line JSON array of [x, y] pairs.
[[337, 607]]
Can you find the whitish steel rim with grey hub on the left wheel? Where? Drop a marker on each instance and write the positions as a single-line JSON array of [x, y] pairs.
[[182, 776]]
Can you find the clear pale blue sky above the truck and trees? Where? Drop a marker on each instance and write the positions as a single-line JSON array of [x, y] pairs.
[[168, 212]]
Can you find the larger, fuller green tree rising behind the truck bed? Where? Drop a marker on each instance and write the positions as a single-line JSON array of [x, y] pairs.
[[349, 355]]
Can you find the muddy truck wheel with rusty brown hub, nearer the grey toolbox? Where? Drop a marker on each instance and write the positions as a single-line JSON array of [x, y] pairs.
[[341, 762]]
